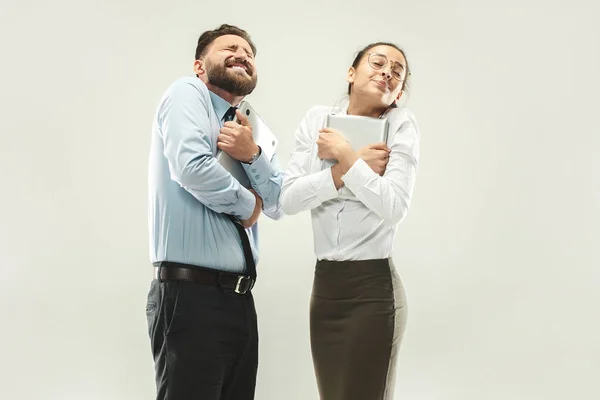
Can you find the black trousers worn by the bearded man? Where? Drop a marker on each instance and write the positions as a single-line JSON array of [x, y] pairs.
[[204, 341]]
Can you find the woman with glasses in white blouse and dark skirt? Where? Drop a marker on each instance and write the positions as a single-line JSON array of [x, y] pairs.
[[357, 310]]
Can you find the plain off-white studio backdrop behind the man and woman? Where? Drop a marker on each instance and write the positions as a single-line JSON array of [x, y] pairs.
[[498, 254]]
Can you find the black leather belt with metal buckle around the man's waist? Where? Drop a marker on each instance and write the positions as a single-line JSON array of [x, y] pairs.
[[169, 271]]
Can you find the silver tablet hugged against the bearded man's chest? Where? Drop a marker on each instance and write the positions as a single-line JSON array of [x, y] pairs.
[[263, 137]]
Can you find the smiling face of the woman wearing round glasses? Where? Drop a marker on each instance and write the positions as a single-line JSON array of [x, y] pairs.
[[379, 76]]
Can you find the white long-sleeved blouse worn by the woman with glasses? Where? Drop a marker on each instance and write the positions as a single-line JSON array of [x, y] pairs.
[[358, 221]]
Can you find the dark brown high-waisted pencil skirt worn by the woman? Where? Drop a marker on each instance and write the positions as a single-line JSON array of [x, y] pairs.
[[357, 320]]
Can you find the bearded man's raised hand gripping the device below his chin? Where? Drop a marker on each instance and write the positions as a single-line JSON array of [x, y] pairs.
[[236, 139]]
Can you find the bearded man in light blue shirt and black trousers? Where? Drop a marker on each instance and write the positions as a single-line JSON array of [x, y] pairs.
[[202, 222]]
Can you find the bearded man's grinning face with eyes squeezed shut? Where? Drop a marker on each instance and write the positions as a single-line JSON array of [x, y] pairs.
[[229, 65]]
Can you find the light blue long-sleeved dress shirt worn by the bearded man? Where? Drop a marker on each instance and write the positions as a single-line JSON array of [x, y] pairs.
[[190, 193]]
